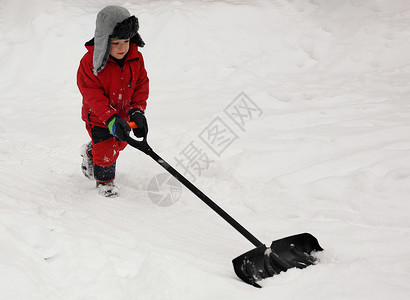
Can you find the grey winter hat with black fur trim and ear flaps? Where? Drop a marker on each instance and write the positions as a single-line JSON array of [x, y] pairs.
[[113, 22]]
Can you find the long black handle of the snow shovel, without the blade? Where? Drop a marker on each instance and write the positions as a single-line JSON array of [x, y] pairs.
[[144, 147]]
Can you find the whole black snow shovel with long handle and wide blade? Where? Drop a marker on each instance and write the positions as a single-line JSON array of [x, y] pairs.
[[262, 262]]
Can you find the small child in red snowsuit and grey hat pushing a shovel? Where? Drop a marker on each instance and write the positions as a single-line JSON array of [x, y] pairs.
[[114, 84]]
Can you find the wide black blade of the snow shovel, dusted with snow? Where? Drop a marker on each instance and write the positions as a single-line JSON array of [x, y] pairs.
[[289, 252]]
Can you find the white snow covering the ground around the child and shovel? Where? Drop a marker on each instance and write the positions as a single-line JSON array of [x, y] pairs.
[[329, 155]]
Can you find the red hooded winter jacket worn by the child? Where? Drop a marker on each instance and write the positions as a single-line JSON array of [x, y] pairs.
[[112, 91]]
